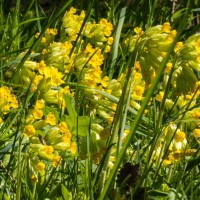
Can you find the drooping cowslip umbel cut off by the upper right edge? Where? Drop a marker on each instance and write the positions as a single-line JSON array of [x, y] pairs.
[[188, 61]]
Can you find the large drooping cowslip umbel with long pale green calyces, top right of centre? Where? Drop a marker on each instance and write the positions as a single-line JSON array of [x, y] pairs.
[[152, 44]]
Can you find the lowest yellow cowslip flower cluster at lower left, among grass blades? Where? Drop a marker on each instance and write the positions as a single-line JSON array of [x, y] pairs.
[[47, 139]]
